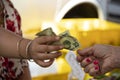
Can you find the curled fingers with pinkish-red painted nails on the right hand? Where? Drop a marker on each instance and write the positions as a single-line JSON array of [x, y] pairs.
[[90, 65]]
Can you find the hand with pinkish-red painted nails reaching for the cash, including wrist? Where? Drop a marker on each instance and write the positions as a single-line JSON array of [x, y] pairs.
[[99, 59]]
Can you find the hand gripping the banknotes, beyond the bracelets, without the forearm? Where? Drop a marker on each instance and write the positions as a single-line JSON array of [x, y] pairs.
[[40, 51]]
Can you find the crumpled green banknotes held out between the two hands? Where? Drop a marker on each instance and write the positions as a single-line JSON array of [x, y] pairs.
[[69, 42]]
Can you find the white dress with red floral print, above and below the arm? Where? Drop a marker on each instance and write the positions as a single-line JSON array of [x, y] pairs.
[[11, 68]]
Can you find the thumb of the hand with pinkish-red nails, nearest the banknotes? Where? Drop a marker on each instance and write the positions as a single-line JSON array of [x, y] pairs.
[[86, 51]]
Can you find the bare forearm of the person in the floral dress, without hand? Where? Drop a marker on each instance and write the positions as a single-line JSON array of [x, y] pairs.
[[8, 44]]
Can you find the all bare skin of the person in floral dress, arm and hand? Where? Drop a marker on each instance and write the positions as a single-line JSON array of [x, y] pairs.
[[37, 49]]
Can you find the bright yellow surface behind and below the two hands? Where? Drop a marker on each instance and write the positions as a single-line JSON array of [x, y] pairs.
[[87, 31]]
